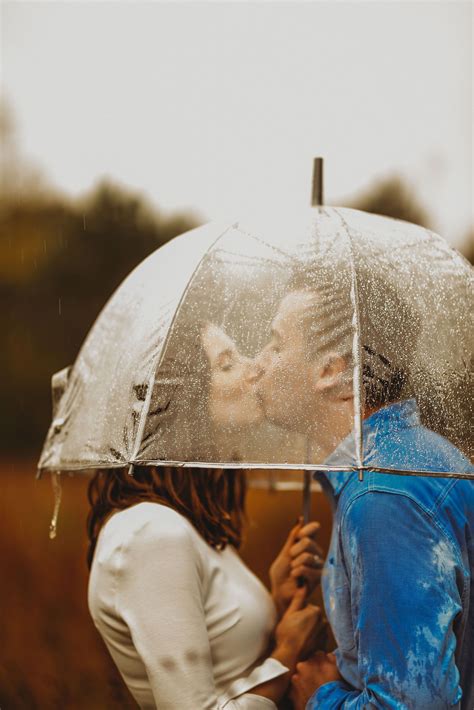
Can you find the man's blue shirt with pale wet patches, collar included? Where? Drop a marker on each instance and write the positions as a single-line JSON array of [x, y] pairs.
[[398, 582]]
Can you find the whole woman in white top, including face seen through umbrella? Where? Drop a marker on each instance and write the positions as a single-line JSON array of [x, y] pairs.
[[186, 622]]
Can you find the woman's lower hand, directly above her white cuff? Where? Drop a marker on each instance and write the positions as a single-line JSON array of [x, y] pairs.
[[295, 633]]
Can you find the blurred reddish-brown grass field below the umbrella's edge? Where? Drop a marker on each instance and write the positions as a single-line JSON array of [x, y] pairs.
[[51, 656]]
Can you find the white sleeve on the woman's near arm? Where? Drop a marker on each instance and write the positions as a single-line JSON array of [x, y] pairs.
[[160, 596]]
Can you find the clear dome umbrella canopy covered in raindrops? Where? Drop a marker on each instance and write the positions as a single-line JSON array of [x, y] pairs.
[[266, 344]]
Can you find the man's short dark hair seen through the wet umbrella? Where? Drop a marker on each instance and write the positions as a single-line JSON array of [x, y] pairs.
[[388, 326]]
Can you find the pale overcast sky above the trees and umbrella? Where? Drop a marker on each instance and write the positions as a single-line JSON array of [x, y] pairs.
[[221, 106]]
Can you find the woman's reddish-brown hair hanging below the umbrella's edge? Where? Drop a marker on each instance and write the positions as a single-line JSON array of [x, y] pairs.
[[213, 500]]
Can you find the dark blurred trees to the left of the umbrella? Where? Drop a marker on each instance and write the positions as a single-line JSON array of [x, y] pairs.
[[59, 262]]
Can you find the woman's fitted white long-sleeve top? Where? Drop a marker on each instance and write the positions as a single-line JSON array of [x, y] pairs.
[[186, 625]]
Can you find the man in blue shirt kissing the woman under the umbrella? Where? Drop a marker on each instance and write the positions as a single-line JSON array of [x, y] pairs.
[[399, 577]]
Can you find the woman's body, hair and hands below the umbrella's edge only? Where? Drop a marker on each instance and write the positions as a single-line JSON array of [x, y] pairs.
[[186, 622]]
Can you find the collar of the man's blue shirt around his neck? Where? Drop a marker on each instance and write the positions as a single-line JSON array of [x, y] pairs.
[[382, 423]]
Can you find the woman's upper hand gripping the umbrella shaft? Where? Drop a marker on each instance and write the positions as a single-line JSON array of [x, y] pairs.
[[300, 557]]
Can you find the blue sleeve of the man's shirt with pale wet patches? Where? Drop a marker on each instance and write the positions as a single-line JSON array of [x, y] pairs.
[[404, 600]]
